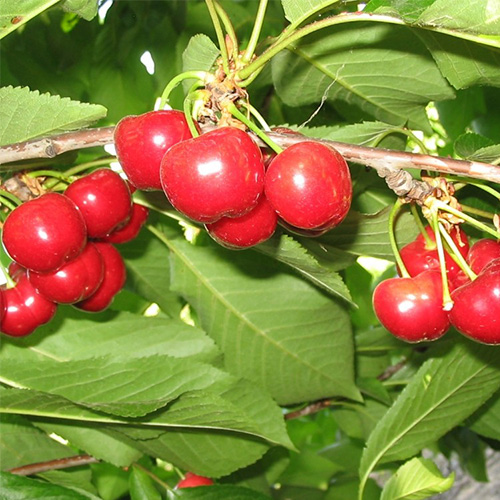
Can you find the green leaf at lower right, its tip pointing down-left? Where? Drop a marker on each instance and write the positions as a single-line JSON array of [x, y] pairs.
[[444, 391]]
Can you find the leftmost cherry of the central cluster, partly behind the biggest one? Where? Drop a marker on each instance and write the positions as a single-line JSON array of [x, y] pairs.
[[141, 141]]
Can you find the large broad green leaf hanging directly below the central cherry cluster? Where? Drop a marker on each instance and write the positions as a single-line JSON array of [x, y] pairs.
[[283, 336]]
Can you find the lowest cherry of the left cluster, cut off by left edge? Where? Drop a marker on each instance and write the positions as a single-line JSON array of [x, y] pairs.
[[25, 309]]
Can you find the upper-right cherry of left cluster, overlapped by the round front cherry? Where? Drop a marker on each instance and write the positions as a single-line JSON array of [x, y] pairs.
[[104, 200]]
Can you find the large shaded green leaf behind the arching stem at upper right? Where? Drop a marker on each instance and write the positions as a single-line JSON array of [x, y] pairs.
[[363, 73]]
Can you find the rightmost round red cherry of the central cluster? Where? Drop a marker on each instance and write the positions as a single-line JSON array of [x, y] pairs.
[[309, 186]]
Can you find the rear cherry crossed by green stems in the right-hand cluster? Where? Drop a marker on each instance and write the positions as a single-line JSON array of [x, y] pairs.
[[418, 256]]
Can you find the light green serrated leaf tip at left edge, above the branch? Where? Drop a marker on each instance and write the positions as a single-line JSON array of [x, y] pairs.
[[26, 114]]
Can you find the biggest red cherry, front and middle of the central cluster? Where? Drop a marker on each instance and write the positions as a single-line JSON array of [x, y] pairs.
[[217, 174]]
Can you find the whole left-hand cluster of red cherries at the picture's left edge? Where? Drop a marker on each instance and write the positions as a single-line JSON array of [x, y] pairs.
[[62, 248]]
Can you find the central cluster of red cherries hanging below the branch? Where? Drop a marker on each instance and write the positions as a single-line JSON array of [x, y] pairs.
[[220, 178]]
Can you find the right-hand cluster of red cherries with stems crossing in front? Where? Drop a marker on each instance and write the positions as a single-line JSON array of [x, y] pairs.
[[412, 308]]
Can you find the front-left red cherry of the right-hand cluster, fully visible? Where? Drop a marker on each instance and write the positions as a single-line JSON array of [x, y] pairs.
[[411, 308]]
